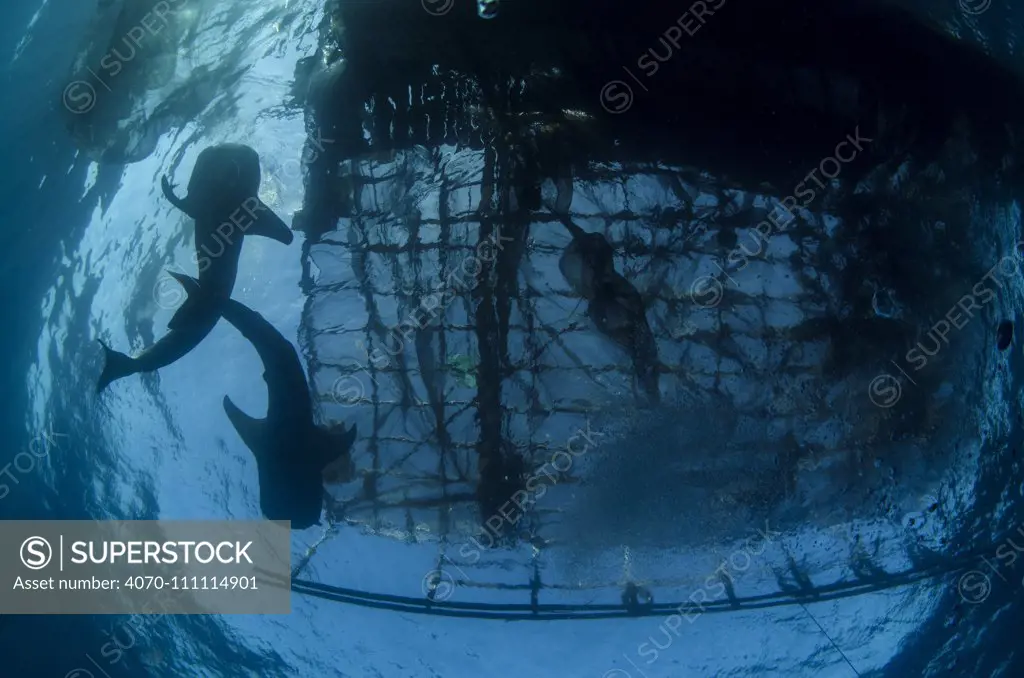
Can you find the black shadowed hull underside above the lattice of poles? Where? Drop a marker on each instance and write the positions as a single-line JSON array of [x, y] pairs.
[[758, 94]]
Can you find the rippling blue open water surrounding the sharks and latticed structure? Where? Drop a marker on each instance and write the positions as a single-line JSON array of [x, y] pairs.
[[82, 247]]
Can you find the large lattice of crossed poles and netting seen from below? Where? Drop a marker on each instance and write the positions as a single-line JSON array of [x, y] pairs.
[[798, 409]]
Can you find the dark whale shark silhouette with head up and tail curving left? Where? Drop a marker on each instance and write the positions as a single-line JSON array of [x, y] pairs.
[[223, 200]]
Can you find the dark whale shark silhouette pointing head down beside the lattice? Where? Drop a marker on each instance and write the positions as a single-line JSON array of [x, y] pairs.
[[292, 453]]
